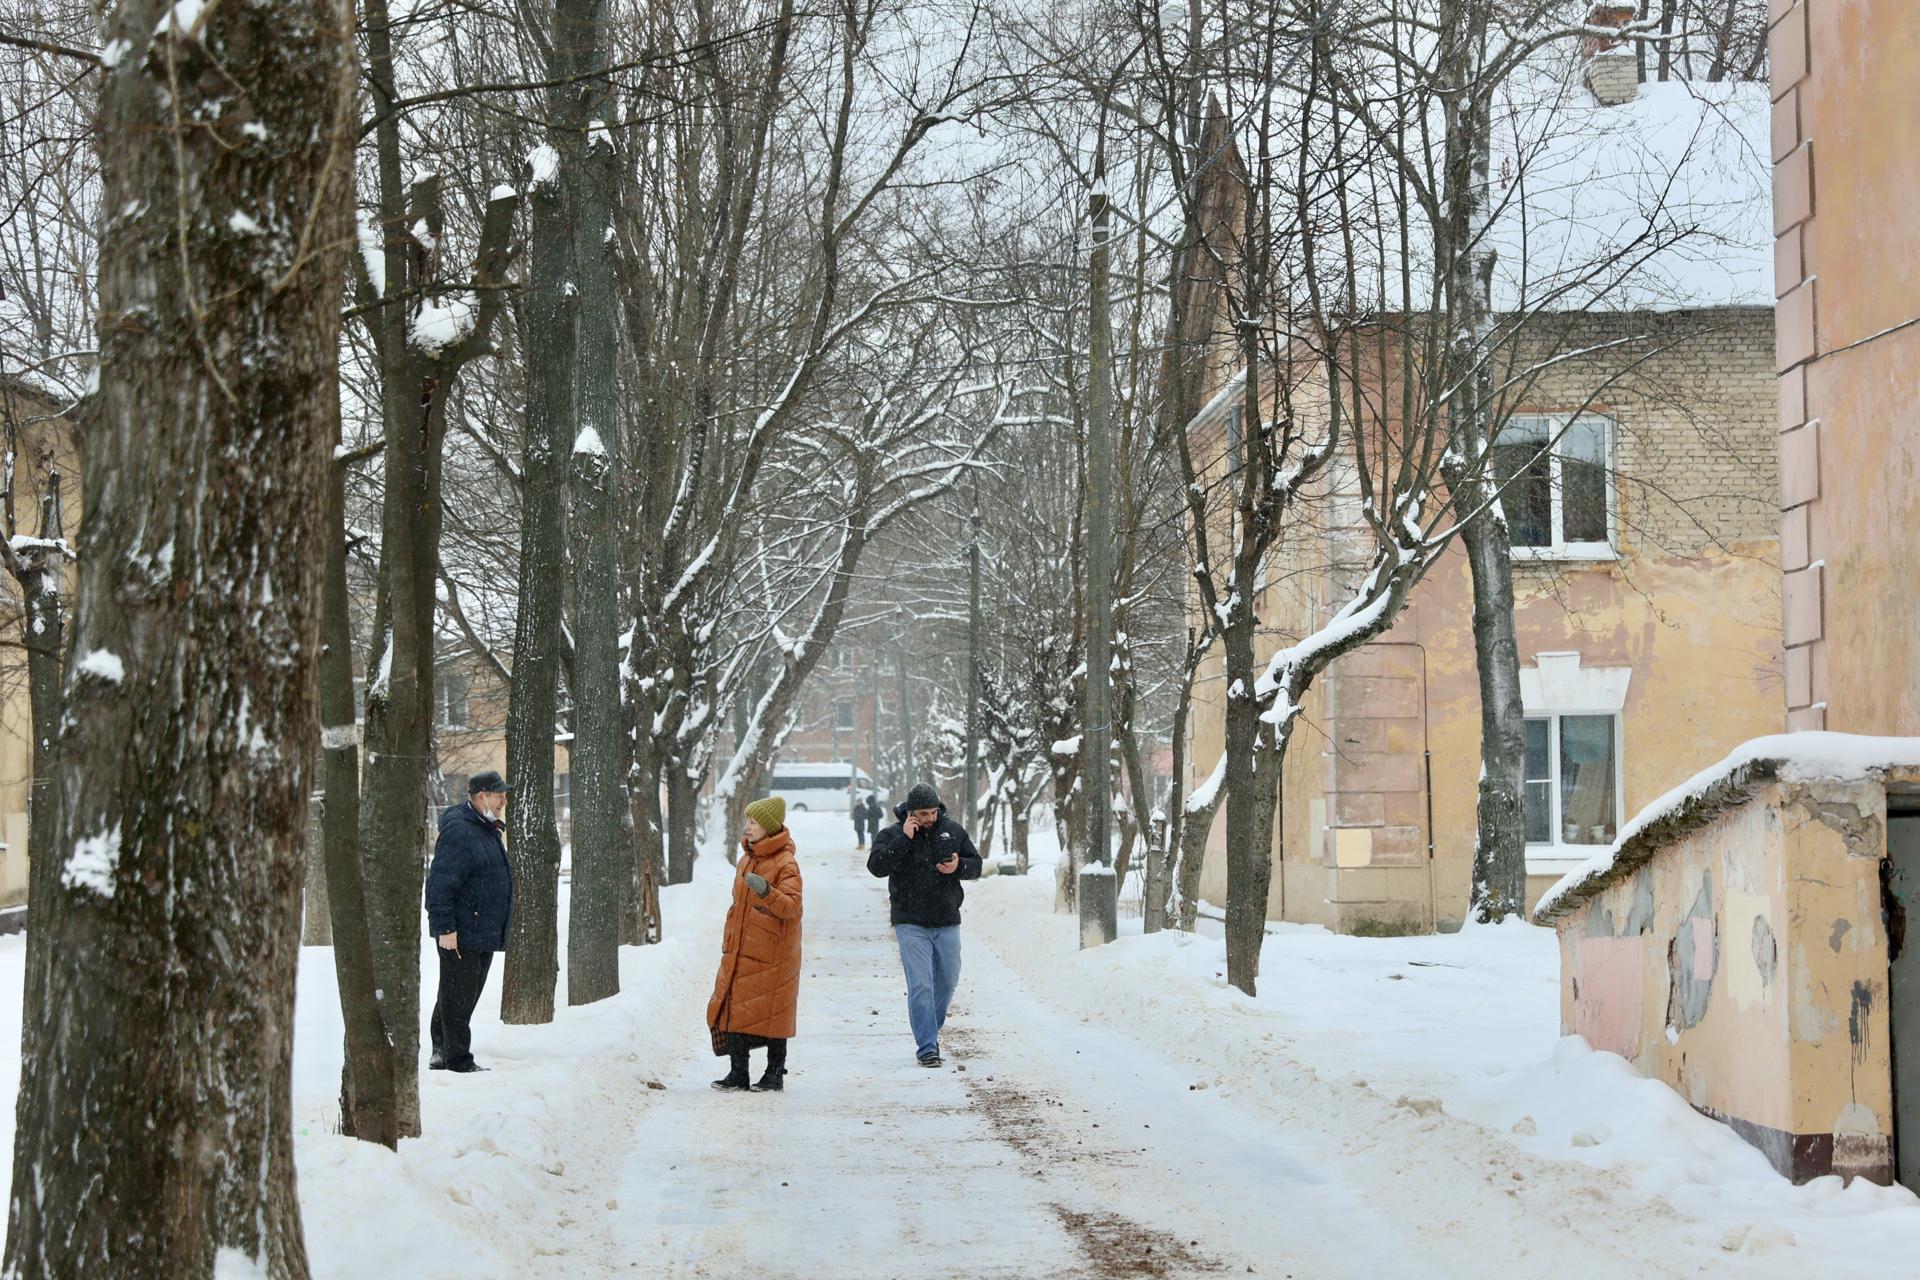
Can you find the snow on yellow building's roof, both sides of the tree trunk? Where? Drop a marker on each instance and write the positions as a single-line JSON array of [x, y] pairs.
[[1658, 204]]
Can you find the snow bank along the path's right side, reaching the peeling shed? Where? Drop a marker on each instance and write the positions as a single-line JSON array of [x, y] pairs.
[[1460, 1033]]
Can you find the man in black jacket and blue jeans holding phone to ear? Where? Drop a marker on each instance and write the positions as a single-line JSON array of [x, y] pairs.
[[924, 859]]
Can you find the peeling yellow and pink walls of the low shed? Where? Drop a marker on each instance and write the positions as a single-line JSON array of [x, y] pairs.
[[1746, 966]]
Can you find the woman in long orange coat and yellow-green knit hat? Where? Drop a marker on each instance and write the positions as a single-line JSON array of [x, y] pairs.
[[759, 987]]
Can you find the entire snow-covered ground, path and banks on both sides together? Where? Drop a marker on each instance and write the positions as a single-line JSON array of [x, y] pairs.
[[1387, 1106]]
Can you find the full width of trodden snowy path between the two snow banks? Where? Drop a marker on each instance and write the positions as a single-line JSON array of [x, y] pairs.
[[1053, 1149]]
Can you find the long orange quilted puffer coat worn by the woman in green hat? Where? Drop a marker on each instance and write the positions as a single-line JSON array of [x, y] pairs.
[[757, 991]]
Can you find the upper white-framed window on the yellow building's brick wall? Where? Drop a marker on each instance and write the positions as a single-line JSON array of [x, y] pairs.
[[1556, 486]]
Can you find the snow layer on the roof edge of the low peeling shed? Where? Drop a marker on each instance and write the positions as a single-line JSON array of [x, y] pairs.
[[1787, 757]]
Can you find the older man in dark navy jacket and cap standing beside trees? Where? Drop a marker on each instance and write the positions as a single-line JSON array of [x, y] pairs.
[[469, 901]]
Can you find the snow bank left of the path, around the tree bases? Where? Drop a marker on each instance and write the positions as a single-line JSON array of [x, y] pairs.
[[492, 1185]]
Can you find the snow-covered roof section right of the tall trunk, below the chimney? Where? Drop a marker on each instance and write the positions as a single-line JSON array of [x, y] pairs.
[[1658, 204]]
